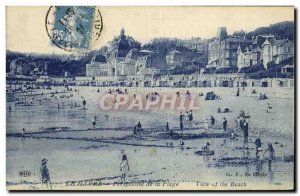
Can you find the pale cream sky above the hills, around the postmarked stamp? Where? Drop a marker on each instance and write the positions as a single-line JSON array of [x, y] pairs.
[[26, 32]]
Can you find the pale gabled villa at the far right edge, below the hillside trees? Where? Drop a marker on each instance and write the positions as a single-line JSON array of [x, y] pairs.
[[276, 51]]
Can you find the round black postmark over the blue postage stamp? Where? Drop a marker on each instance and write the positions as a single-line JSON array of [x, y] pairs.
[[74, 28]]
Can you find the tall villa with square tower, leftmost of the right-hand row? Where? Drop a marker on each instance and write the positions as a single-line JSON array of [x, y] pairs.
[[222, 52]]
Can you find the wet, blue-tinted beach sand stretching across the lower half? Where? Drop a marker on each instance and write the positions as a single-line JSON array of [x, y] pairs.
[[78, 152]]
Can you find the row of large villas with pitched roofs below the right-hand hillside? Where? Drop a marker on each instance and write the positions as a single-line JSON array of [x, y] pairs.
[[239, 52]]
